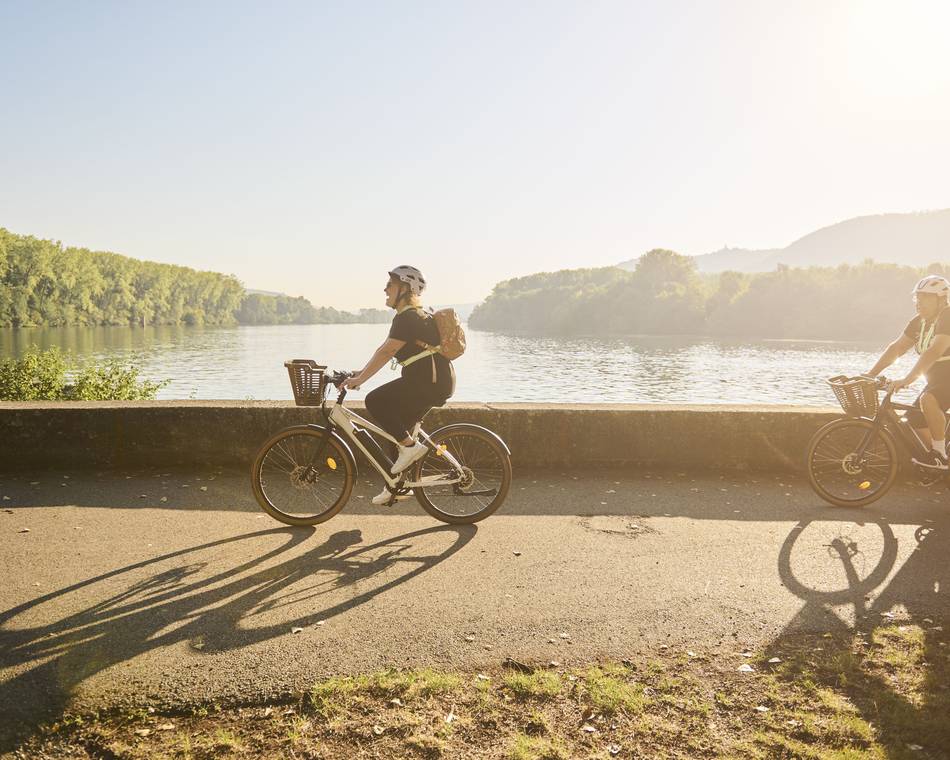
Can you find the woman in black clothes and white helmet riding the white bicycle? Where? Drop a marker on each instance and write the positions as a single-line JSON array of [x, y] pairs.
[[427, 379]]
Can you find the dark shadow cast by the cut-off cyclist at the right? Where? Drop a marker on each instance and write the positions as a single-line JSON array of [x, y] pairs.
[[916, 595]]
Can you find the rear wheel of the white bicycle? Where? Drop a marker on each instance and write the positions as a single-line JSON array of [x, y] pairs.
[[486, 474]]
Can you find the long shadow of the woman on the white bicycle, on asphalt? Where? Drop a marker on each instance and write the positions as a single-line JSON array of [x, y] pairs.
[[177, 602]]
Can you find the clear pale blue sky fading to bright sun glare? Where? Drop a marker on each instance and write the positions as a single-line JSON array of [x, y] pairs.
[[307, 147]]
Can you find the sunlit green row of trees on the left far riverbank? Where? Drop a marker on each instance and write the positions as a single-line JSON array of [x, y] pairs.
[[46, 284]]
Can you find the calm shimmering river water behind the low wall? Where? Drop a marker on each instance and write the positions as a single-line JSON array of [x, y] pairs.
[[247, 363]]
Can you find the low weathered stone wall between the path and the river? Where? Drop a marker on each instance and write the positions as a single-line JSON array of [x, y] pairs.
[[184, 433]]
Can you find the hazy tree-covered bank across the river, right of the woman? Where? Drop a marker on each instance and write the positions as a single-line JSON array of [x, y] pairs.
[[666, 295]]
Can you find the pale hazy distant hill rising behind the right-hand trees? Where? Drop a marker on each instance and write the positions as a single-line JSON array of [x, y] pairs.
[[913, 240]]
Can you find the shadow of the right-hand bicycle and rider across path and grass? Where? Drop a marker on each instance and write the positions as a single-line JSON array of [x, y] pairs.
[[861, 600]]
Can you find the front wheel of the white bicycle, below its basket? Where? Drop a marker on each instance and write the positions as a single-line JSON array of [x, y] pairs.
[[292, 484]]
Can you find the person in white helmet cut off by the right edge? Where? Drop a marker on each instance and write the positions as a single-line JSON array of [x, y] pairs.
[[929, 333]]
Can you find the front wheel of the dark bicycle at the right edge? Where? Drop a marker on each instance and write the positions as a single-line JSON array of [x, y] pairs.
[[842, 477]]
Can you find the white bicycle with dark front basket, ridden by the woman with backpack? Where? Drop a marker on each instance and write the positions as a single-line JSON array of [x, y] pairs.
[[304, 474]]
